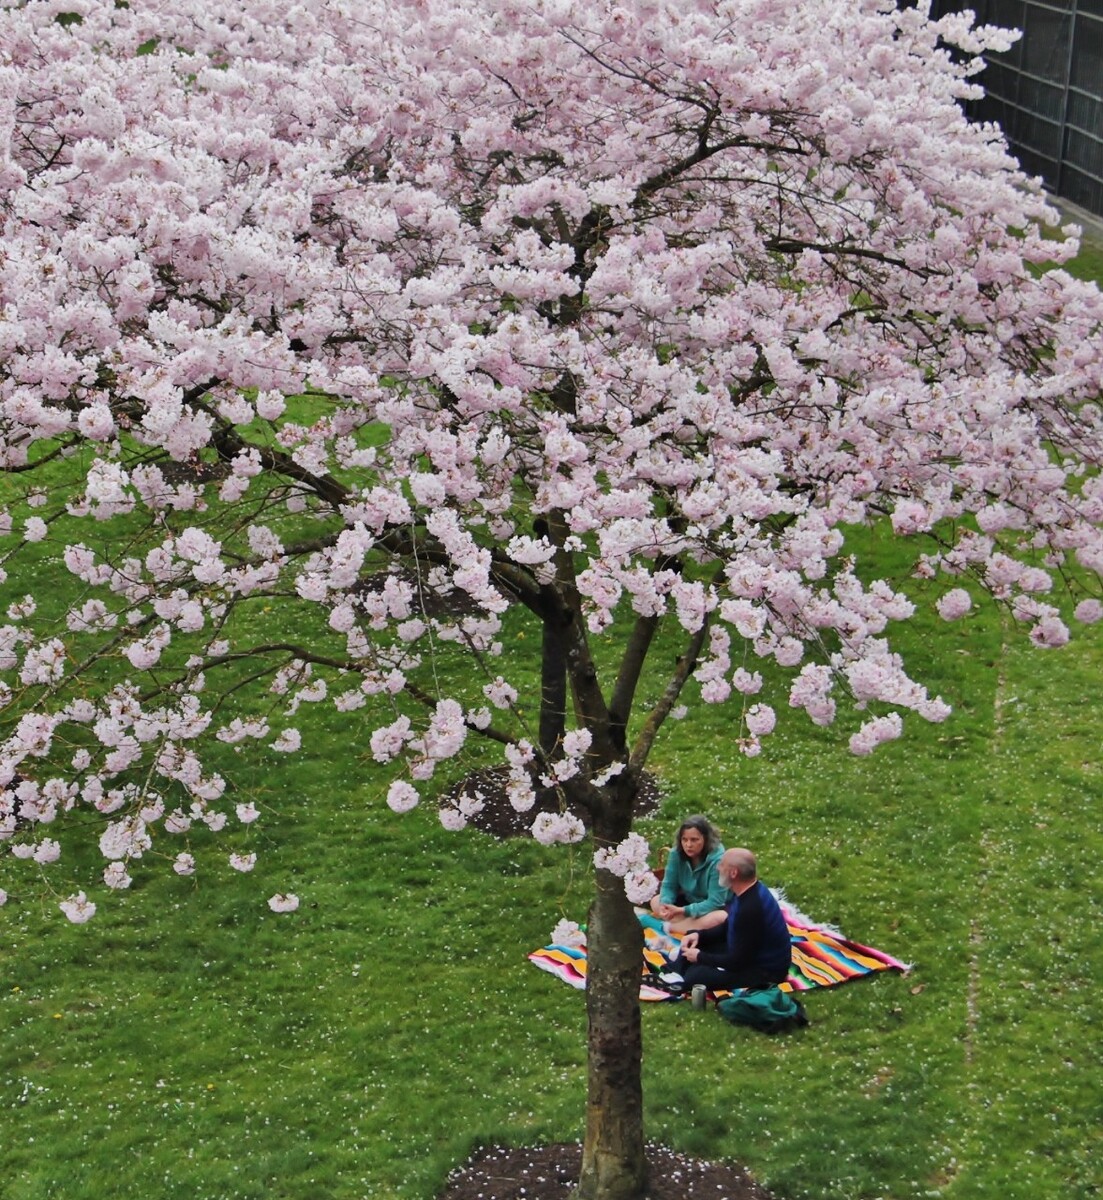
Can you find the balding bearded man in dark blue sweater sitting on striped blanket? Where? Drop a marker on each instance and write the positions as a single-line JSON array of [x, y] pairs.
[[745, 945]]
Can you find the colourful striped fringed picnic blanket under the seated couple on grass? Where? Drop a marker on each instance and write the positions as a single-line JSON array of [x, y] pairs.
[[823, 957]]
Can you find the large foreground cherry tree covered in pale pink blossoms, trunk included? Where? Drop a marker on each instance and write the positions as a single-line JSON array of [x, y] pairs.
[[422, 317]]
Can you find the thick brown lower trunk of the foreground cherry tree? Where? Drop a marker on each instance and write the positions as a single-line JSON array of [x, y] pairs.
[[614, 1167]]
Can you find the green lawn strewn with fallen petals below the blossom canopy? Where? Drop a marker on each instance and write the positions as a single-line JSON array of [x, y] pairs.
[[191, 1043]]
